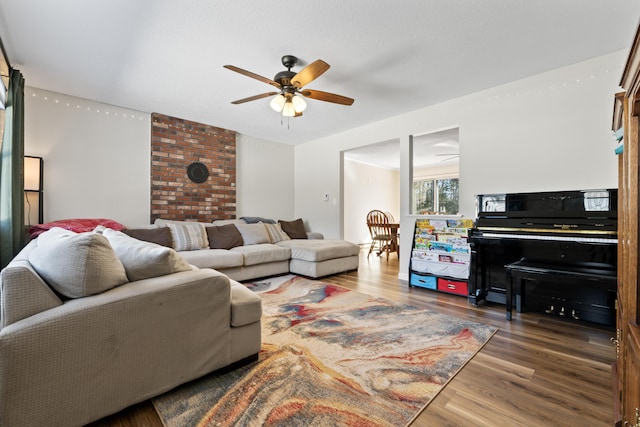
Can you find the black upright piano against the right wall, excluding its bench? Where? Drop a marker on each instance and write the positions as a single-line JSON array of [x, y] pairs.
[[557, 232]]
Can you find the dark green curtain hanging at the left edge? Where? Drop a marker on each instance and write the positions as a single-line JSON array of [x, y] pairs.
[[12, 232]]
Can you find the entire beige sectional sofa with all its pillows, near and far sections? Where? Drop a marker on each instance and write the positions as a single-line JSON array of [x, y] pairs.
[[96, 321]]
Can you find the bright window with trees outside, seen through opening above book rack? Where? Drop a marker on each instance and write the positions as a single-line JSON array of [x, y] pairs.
[[436, 196]]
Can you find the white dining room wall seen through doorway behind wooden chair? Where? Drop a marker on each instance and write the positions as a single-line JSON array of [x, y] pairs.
[[366, 188]]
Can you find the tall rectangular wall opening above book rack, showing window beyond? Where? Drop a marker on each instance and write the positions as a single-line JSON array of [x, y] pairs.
[[436, 173]]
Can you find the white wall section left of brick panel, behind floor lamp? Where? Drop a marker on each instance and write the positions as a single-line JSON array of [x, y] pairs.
[[96, 157]]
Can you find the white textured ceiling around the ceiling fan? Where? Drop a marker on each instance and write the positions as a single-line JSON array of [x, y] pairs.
[[166, 56]]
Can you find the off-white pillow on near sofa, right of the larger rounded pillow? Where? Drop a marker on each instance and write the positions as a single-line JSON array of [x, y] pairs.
[[143, 260]]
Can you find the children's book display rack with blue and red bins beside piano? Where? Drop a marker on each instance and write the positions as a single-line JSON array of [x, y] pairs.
[[440, 255]]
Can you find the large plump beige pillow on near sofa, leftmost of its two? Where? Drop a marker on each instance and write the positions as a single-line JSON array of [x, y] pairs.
[[77, 264]]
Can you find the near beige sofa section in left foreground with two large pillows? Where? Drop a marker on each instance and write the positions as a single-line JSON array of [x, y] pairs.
[[92, 323]]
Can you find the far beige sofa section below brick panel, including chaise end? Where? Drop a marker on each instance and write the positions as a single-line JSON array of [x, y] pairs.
[[266, 249]]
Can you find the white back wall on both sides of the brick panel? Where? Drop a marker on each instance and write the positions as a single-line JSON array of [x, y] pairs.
[[97, 162]]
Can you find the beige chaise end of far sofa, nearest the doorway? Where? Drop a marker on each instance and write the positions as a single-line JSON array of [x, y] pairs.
[[319, 257]]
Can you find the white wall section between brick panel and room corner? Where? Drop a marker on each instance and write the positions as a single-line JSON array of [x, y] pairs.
[[264, 178]]
